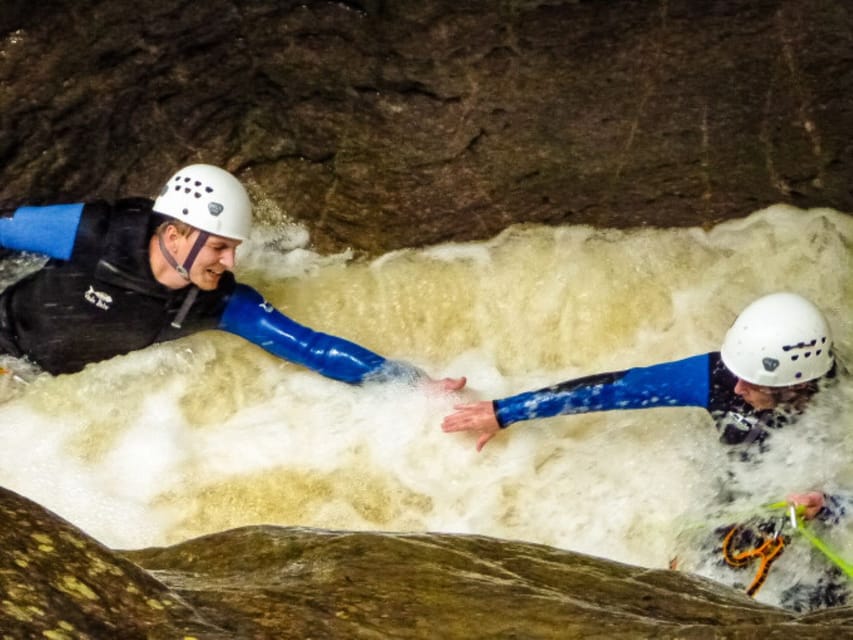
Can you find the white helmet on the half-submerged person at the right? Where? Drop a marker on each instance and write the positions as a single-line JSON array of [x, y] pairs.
[[779, 340]]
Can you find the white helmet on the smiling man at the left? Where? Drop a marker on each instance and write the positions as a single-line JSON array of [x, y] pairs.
[[207, 198]]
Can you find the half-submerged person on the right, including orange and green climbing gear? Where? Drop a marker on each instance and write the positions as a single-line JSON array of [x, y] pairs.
[[770, 364]]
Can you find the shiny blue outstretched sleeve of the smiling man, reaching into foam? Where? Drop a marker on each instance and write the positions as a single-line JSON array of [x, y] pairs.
[[249, 316]]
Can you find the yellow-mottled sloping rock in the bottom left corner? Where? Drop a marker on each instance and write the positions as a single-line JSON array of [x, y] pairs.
[[58, 583]]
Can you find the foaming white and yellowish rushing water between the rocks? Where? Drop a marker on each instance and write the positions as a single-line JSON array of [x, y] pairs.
[[210, 432]]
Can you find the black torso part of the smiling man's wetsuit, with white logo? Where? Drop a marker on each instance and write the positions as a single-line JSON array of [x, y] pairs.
[[105, 301]]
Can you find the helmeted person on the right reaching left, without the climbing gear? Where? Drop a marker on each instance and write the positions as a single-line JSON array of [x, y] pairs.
[[770, 363]]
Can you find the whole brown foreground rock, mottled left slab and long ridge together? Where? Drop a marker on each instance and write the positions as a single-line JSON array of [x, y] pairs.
[[275, 583]]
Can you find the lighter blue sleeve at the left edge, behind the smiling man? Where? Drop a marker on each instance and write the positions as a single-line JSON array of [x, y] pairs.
[[48, 230]]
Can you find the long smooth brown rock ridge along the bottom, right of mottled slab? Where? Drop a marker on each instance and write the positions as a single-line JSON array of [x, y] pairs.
[[371, 585]]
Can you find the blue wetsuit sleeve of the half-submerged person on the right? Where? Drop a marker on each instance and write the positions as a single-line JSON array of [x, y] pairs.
[[670, 384]]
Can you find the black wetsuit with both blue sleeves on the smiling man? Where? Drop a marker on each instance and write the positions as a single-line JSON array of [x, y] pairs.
[[97, 298]]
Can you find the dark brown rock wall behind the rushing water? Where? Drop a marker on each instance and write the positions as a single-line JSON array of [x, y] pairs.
[[389, 124]]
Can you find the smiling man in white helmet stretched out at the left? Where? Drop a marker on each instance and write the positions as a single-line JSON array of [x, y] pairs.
[[124, 276]]
